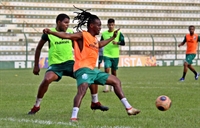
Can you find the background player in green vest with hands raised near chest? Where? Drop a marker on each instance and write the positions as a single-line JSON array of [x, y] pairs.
[[111, 50]]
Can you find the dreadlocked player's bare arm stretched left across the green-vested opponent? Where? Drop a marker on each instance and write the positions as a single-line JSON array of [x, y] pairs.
[[64, 35]]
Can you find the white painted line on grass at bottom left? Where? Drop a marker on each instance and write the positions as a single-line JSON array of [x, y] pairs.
[[45, 122]]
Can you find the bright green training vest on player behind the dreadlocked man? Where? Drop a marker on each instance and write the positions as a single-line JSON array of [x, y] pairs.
[[60, 50]]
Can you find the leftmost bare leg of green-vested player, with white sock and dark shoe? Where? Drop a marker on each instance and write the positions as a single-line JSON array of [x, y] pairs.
[[48, 78]]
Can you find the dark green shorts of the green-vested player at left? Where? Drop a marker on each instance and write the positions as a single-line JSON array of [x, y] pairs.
[[63, 69]]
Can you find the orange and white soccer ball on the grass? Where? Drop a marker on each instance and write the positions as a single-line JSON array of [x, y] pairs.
[[163, 103]]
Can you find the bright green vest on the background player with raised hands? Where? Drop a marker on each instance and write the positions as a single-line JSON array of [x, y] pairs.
[[111, 50]]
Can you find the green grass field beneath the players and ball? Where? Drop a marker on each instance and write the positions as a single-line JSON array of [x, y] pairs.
[[141, 86]]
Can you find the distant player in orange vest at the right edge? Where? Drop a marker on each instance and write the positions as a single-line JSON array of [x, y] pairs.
[[192, 43]]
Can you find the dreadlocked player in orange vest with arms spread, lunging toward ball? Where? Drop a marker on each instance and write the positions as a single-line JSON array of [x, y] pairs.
[[86, 47]]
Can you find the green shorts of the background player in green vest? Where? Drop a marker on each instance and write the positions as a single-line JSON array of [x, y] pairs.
[[111, 62]]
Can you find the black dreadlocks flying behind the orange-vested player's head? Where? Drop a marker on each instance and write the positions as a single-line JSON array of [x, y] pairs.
[[84, 17]]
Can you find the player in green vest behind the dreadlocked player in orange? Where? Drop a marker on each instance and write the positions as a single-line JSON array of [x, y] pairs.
[[61, 62]]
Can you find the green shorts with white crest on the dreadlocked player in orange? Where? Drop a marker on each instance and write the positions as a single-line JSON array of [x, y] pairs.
[[86, 75]]
